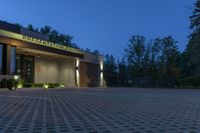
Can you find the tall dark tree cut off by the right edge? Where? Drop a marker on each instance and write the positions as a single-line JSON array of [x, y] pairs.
[[192, 53]]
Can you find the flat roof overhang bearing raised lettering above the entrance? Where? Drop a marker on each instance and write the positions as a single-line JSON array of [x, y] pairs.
[[27, 42]]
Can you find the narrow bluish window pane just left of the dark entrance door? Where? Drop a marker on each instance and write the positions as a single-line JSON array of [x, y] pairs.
[[13, 61]]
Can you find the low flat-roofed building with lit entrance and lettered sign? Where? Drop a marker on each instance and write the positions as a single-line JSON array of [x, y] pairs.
[[36, 60]]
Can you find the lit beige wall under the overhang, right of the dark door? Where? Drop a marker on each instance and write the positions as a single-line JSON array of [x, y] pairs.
[[55, 71]]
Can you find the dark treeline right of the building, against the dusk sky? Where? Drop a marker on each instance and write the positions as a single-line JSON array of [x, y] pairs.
[[158, 62]]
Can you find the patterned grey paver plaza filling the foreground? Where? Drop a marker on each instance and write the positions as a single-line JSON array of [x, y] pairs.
[[100, 110]]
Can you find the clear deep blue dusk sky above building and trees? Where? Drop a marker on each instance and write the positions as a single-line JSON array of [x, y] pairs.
[[105, 25]]
